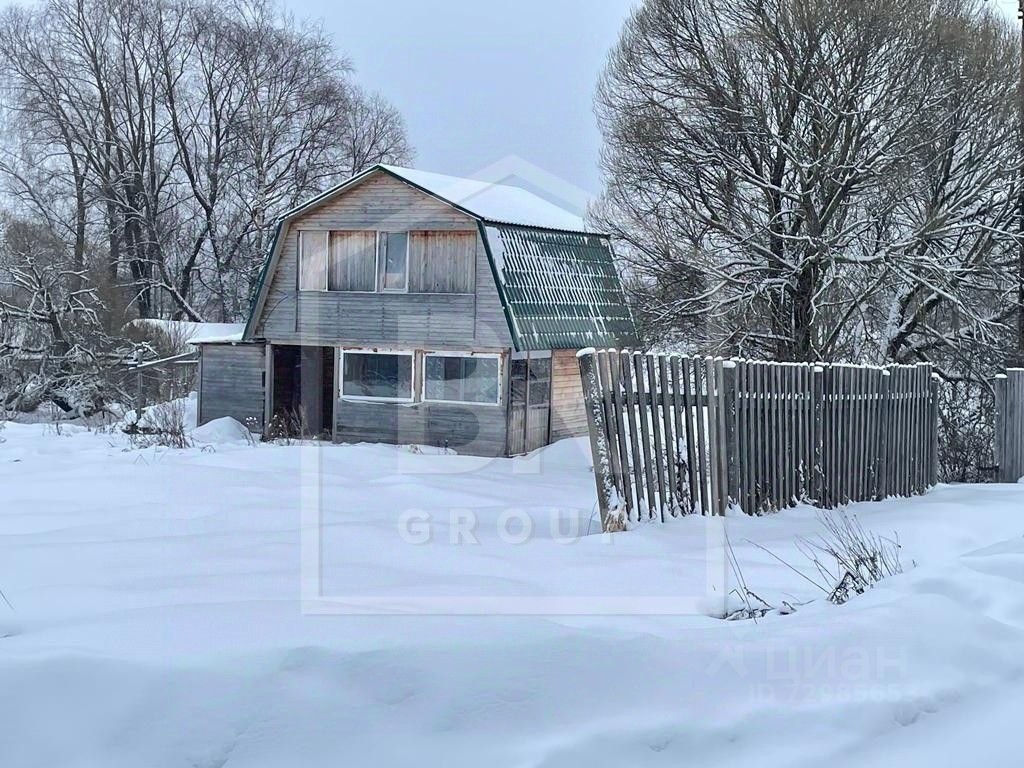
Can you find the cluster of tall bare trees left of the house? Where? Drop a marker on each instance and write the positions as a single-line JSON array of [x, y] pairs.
[[151, 146]]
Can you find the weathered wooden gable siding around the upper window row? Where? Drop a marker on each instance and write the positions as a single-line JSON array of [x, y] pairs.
[[474, 321]]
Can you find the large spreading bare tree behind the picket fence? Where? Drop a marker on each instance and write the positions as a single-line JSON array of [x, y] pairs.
[[806, 180]]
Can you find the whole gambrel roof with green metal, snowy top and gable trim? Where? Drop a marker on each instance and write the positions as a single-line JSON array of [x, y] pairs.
[[558, 281]]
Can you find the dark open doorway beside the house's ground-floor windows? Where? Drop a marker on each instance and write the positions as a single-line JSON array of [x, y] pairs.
[[303, 404]]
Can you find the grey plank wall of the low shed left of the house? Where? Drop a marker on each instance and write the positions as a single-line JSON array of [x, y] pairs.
[[232, 382]]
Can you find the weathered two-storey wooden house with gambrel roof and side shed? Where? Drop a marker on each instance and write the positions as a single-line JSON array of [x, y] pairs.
[[410, 308]]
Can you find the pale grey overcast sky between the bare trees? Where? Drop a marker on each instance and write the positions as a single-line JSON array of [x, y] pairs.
[[480, 80]]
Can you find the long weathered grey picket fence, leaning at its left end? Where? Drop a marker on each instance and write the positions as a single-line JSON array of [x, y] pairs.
[[675, 436]]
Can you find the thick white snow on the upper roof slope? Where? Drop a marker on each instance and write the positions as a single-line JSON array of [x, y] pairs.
[[500, 203]]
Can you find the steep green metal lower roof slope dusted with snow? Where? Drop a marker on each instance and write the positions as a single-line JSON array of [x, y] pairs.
[[561, 290]]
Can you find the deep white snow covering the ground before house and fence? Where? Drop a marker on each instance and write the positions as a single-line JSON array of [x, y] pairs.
[[159, 619]]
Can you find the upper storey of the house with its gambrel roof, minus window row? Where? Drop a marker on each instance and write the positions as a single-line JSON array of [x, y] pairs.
[[536, 288]]
